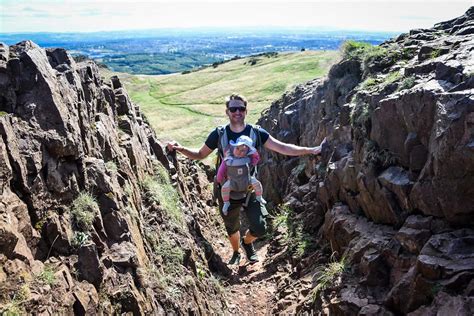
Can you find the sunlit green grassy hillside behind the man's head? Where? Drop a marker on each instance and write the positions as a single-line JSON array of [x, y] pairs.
[[186, 107]]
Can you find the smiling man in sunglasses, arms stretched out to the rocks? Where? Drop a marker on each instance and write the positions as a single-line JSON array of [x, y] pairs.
[[236, 110]]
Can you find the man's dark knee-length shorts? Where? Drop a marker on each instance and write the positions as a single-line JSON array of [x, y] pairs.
[[255, 212]]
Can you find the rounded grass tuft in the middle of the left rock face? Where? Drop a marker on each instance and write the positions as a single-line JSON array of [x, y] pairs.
[[84, 210]]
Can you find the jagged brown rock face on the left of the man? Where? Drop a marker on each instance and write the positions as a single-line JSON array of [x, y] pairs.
[[65, 131]]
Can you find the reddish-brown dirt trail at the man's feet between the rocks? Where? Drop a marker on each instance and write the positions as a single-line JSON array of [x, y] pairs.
[[251, 289]]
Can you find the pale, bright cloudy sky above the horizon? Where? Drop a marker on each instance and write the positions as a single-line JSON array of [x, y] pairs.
[[107, 15]]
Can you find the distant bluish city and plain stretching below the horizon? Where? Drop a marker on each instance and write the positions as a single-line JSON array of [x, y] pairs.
[[177, 50]]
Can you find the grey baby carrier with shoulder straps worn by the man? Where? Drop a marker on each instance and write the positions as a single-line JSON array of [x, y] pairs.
[[240, 169]]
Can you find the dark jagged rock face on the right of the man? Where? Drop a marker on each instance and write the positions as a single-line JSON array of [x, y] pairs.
[[396, 196]]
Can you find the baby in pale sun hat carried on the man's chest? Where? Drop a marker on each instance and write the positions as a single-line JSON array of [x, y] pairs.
[[235, 170]]
